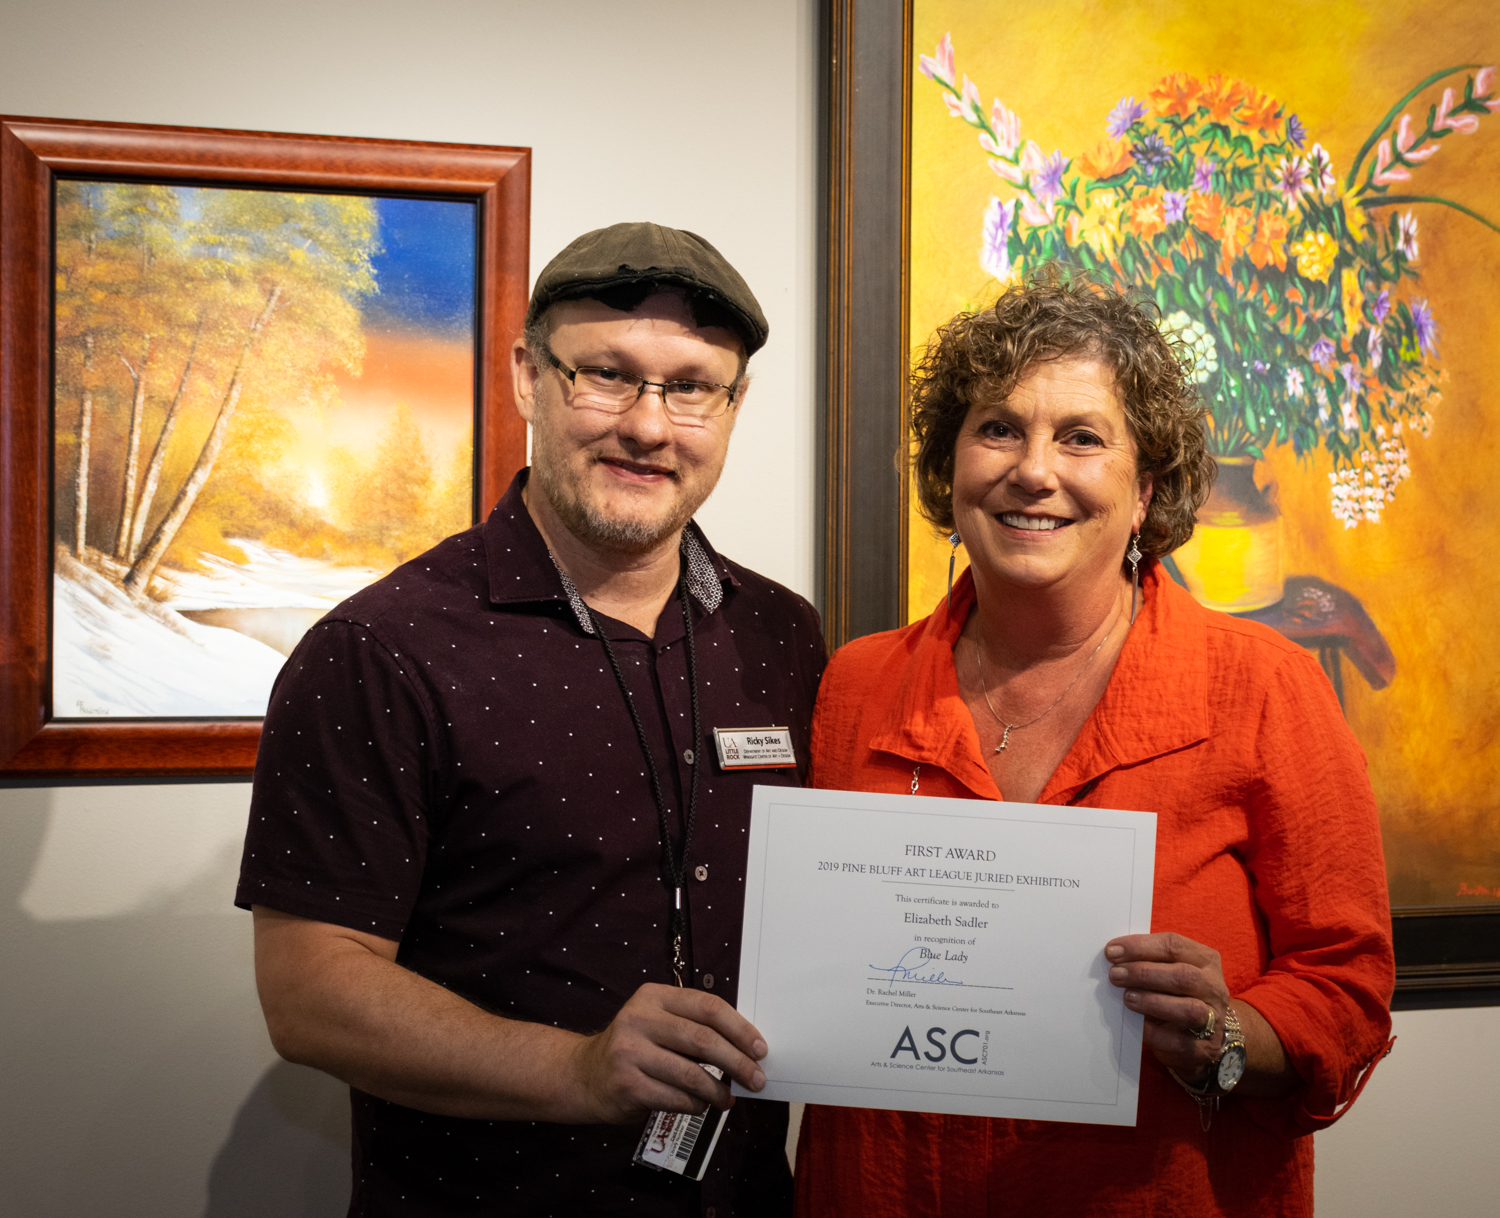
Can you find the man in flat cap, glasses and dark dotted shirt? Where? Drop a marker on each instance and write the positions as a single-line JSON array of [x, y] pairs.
[[494, 857]]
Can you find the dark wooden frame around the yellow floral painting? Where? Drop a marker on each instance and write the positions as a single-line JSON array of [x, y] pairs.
[[1447, 956]]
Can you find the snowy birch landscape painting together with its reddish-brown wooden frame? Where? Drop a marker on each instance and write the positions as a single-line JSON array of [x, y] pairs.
[[245, 377]]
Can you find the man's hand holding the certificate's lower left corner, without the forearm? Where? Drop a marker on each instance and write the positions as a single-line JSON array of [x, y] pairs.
[[649, 1057]]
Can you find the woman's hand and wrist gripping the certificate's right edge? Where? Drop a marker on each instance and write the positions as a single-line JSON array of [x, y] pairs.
[[1175, 983]]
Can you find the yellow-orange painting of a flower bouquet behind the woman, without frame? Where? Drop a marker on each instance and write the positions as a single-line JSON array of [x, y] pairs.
[[1316, 238]]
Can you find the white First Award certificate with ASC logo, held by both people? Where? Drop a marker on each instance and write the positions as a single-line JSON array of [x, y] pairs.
[[944, 956]]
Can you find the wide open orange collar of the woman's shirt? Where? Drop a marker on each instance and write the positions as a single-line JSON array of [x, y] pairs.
[[1156, 701]]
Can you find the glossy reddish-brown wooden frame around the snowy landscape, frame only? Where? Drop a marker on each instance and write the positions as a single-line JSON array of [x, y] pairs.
[[34, 155]]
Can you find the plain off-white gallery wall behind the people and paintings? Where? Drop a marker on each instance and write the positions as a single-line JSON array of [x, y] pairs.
[[136, 1076]]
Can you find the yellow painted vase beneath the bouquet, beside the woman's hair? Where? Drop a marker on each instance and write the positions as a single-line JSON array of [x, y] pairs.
[[1234, 560]]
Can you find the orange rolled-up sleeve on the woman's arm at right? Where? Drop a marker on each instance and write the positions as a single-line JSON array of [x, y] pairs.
[[1321, 886]]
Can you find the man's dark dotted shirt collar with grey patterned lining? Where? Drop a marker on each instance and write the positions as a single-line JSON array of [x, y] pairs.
[[523, 569]]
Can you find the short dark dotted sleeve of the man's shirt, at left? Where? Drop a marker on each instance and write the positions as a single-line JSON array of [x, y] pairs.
[[344, 781]]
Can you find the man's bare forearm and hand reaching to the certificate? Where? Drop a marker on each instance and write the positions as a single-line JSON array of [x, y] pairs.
[[338, 1001]]
